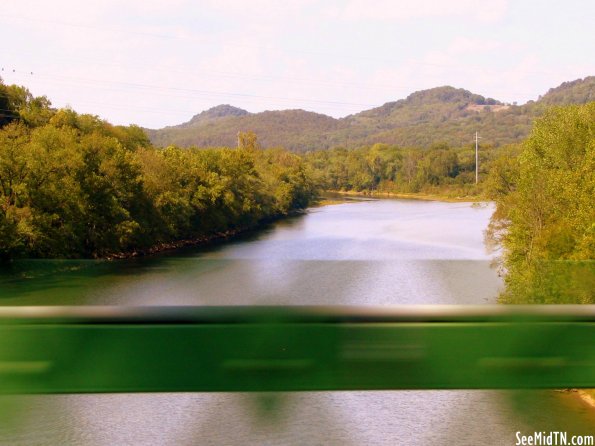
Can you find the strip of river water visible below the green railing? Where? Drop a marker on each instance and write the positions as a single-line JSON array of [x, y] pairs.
[[433, 418]]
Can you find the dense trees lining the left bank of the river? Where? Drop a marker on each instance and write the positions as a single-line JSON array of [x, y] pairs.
[[73, 185]]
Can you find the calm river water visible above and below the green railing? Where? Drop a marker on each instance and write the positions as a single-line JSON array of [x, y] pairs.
[[364, 252]]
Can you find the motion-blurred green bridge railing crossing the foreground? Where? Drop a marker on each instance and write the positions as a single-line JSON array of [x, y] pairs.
[[205, 349]]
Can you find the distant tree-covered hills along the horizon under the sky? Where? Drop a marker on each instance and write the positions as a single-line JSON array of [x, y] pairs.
[[441, 114]]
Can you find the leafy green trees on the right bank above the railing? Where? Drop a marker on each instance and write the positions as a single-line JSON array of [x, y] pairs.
[[545, 211]]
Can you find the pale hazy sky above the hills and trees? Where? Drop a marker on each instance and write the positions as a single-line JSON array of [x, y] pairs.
[[157, 63]]
